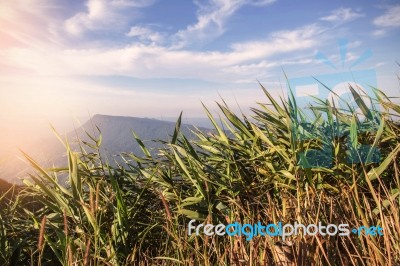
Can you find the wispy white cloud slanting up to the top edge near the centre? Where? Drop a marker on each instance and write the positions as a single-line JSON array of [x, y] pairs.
[[211, 20]]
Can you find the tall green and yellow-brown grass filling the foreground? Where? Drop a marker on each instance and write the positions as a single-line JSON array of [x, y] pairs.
[[247, 170]]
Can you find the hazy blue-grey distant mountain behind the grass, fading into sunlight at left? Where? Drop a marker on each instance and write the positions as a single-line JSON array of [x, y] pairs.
[[117, 137]]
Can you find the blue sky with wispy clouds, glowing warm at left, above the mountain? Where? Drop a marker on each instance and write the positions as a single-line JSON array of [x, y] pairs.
[[154, 58]]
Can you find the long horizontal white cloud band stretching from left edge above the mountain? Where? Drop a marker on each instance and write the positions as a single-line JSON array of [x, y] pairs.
[[155, 61]]
